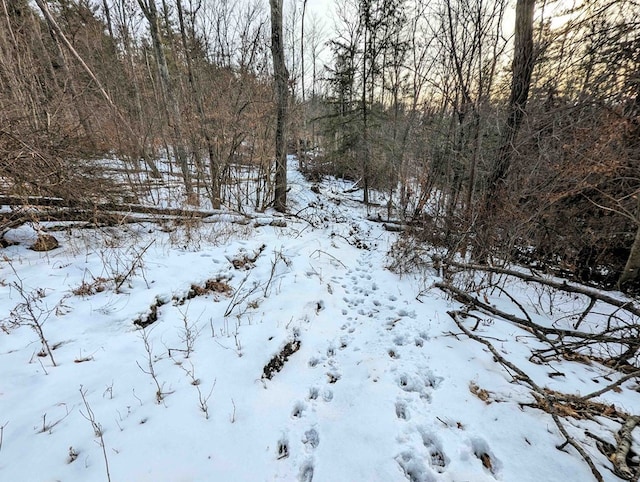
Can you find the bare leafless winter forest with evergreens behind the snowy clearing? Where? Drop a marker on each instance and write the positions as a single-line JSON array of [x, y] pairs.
[[501, 131]]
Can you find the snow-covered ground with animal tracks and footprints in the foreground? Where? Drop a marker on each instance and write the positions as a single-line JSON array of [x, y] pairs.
[[377, 385]]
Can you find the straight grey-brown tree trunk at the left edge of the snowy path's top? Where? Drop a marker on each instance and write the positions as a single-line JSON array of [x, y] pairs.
[[281, 85]]
